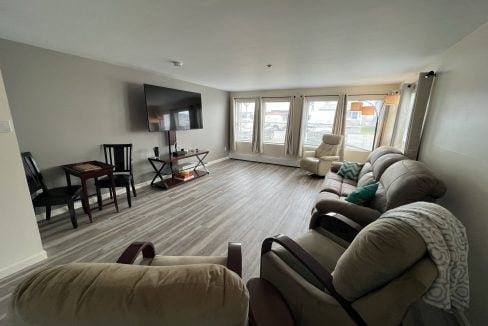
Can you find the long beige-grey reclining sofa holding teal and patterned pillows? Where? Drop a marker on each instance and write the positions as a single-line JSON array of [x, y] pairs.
[[401, 181]]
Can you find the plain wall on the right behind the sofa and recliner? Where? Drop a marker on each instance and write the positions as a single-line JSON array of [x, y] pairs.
[[455, 146]]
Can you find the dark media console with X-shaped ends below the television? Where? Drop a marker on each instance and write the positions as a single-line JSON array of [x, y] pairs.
[[170, 160]]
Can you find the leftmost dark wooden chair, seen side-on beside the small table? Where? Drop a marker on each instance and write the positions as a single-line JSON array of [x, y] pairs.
[[49, 197]]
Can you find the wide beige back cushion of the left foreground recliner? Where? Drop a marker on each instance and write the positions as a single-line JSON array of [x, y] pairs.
[[117, 294]]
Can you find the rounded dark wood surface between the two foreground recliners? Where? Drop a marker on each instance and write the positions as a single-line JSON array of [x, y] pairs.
[[267, 307]]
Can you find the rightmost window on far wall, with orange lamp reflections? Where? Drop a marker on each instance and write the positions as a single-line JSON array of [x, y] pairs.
[[361, 118]]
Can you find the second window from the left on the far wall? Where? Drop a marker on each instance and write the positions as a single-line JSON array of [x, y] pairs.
[[275, 120]]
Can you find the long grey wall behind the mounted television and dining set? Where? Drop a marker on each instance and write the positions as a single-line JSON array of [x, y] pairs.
[[66, 106]]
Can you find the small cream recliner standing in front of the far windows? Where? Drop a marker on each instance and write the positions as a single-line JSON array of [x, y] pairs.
[[319, 161]]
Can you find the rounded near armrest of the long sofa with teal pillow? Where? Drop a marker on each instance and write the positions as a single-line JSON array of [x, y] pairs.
[[360, 214]]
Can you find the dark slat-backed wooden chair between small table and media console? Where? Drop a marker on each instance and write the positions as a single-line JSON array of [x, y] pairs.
[[120, 156]]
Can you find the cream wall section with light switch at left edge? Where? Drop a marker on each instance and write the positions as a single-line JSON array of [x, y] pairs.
[[20, 242]]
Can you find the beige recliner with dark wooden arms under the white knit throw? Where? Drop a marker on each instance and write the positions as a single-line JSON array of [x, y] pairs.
[[372, 282]]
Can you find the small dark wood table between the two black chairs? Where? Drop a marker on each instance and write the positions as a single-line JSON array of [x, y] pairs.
[[101, 170]]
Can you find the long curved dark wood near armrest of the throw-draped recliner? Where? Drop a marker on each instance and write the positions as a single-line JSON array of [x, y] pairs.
[[314, 267]]
